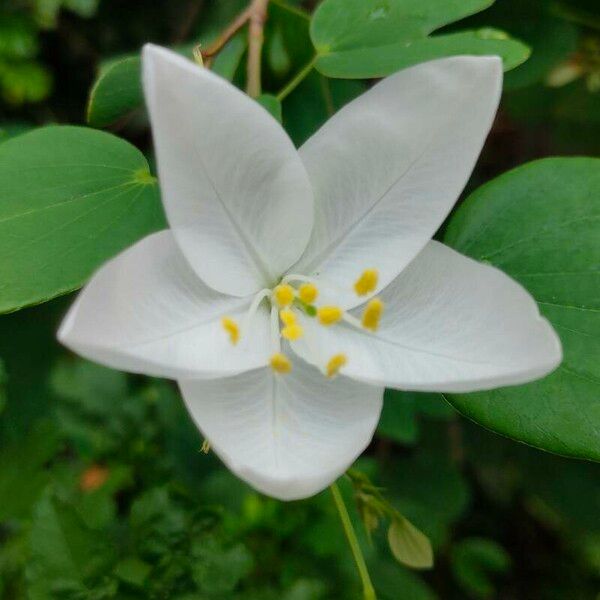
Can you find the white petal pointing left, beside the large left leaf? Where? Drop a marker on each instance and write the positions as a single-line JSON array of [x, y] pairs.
[[146, 311]]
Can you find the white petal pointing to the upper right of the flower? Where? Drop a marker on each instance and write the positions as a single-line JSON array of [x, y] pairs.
[[388, 167]]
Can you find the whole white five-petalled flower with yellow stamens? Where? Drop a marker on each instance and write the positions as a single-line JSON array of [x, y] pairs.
[[293, 286]]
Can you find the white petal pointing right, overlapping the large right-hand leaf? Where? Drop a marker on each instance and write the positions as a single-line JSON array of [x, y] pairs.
[[451, 325]]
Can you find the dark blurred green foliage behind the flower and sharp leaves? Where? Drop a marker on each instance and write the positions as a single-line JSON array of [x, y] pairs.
[[104, 492]]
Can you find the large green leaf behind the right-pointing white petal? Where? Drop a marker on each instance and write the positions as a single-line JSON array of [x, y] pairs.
[[540, 223]]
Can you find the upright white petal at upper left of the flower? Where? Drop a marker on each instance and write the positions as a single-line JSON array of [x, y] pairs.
[[233, 185]]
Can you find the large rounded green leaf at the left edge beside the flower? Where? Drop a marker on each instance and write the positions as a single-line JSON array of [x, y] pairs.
[[70, 198]]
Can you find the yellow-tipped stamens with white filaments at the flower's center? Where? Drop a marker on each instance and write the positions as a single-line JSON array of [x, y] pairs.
[[288, 301]]
